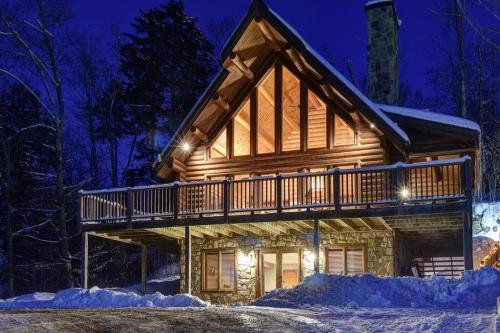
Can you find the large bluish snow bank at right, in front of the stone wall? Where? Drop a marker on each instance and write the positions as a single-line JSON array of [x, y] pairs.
[[474, 289]]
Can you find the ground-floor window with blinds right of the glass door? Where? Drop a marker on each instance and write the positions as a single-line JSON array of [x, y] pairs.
[[345, 260]]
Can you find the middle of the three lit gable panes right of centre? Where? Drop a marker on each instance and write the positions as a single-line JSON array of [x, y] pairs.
[[316, 122]]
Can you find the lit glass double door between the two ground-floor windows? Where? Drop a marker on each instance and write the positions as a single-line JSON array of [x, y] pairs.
[[279, 270]]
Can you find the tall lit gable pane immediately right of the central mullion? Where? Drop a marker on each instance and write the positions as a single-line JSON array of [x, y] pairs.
[[291, 112]]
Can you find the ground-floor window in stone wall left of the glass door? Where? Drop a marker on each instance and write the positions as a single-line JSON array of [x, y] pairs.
[[219, 270]]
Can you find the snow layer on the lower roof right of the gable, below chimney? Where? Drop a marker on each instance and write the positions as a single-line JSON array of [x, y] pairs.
[[426, 114]]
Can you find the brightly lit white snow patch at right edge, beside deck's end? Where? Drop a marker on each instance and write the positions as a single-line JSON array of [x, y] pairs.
[[487, 220]]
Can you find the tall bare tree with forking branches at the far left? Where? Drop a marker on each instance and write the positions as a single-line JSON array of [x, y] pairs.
[[37, 43]]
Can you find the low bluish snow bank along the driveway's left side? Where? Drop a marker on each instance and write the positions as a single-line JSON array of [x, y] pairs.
[[98, 298]]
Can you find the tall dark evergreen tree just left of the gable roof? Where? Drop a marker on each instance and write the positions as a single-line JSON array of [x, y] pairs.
[[167, 62]]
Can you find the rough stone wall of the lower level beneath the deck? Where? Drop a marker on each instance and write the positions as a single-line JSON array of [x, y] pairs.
[[379, 258]]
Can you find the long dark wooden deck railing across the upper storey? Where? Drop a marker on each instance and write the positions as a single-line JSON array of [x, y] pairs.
[[390, 190]]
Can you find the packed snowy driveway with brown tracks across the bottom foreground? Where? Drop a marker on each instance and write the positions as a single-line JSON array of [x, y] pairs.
[[248, 319]]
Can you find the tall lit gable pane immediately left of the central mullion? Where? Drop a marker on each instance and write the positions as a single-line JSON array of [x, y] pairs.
[[265, 115]]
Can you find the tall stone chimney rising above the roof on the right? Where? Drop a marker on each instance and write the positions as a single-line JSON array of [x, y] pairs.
[[383, 25]]
